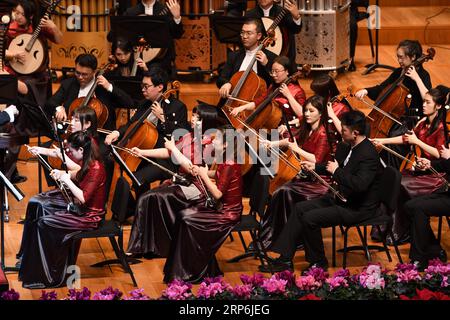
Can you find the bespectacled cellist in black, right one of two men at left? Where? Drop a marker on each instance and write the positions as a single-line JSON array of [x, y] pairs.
[[167, 115]]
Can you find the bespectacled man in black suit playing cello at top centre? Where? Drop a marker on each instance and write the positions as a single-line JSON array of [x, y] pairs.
[[239, 60]]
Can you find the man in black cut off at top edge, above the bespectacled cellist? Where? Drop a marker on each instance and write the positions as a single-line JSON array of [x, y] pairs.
[[291, 22]]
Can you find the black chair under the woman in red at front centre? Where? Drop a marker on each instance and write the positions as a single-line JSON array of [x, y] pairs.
[[258, 196]]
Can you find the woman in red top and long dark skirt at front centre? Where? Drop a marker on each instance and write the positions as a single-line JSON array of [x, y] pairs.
[[201, 229]]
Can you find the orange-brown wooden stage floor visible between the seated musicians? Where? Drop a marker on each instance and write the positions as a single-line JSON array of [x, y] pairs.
[[149, 273]]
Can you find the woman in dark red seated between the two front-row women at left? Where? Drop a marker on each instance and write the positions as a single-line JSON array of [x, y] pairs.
[[158, 209]]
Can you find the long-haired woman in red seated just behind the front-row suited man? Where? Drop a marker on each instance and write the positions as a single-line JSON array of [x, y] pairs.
[[314, 145]]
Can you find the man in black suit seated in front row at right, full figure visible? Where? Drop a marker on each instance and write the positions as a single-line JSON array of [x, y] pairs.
[[357, 171]]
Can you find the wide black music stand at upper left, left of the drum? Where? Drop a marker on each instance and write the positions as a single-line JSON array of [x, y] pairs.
[[154, 29]]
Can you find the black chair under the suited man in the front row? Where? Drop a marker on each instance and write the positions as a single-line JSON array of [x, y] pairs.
[[389, 192]]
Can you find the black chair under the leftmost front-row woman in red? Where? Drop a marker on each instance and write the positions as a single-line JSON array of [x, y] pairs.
[[113, 228]]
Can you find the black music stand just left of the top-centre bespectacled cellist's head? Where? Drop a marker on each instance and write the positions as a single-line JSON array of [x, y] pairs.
[[227, 29]]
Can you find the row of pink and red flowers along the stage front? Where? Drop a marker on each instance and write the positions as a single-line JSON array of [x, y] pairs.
[[405, 282]]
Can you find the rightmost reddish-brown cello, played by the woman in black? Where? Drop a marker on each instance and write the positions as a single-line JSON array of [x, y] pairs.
[[393, 102]]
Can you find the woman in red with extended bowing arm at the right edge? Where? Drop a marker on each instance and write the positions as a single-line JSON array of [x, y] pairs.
[[429, 136]]
